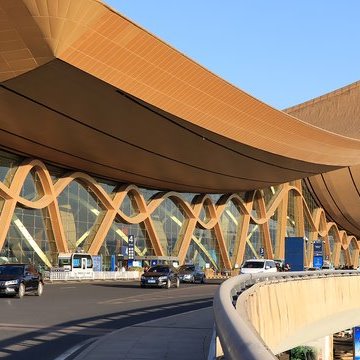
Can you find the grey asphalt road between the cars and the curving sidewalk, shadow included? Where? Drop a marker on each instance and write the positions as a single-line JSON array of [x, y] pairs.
[[69, 314]]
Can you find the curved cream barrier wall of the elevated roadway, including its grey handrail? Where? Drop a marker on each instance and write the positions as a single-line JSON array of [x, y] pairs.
[[277, 312]]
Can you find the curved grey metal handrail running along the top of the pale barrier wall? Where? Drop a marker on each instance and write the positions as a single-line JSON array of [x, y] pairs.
[[238, 338]]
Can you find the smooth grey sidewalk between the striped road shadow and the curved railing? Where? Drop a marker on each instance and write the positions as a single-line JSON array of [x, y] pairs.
[[185, 336]]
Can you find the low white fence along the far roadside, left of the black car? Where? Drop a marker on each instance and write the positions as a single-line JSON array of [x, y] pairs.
[[91, 275]]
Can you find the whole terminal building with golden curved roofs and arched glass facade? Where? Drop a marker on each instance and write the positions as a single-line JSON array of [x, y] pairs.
[[106, 132]]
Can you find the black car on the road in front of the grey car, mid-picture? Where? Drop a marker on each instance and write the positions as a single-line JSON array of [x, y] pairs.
[[160, 276]]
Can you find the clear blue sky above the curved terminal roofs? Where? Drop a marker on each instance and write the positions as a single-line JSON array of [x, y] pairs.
[[282, 52]]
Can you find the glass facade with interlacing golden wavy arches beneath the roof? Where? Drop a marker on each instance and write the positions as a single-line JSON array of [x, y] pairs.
[[54, 209]]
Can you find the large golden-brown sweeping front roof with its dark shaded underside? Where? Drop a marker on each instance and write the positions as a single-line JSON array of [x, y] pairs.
[[84, 87]]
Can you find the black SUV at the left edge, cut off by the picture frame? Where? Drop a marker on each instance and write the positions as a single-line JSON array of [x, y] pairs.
[[17, 279]]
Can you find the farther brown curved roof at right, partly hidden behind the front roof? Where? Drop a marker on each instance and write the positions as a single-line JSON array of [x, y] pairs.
[[338, 192]]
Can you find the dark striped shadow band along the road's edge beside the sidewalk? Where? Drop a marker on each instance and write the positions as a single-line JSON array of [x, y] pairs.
[[47, 343]]
